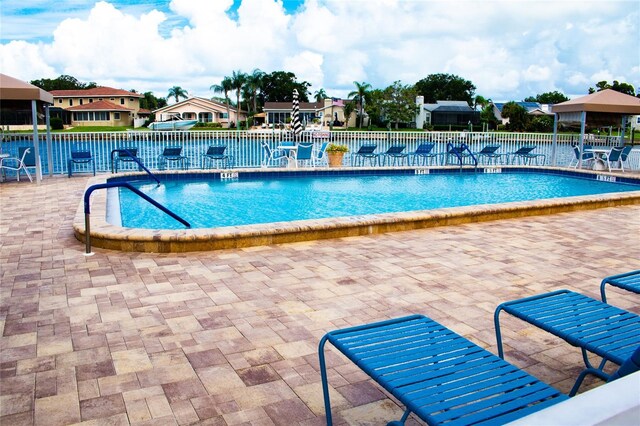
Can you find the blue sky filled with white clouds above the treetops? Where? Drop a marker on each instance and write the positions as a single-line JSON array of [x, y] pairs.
[[509, 49]]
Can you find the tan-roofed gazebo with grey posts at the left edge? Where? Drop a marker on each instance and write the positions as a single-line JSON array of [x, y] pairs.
[[18, 94]]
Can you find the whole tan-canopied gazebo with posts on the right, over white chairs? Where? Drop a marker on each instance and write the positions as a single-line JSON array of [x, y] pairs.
[[606, 107]]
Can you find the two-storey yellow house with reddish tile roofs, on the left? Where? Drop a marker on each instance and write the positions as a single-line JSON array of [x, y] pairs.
[[100, 106]]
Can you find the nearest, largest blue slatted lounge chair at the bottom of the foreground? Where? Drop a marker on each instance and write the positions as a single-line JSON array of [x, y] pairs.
[[437, 374]]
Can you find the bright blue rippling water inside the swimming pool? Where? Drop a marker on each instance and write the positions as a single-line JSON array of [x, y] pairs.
[[211, 204]]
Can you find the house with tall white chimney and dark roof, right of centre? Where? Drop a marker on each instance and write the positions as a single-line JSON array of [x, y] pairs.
[[445, 113]]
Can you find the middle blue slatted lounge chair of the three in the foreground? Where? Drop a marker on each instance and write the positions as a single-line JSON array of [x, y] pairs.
[[592, 325]]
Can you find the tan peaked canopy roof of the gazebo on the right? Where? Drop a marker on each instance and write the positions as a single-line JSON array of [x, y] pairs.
[[607, 100]]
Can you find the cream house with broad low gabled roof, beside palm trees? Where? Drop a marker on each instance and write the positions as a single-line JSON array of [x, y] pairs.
[[201, 109]]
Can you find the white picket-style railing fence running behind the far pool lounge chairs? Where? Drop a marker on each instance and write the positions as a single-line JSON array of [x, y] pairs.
[[245, 146]]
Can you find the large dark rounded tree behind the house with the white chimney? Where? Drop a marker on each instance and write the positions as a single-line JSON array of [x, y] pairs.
[[443, 87]]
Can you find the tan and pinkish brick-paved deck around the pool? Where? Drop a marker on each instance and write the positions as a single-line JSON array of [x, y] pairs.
[[229, 337]]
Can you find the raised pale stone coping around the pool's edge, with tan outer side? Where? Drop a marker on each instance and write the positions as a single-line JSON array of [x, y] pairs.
[[108, 236]]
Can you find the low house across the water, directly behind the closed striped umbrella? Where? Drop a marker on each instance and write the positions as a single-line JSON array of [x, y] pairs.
[[327, 112]]
